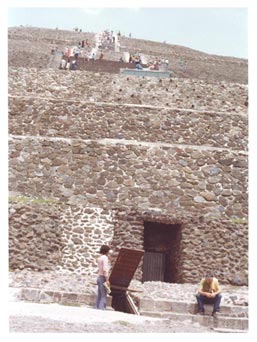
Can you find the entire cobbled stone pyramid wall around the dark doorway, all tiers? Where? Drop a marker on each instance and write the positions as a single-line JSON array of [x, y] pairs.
[[127, 149]]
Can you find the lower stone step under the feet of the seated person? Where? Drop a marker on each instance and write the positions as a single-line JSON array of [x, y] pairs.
[[232, 323]]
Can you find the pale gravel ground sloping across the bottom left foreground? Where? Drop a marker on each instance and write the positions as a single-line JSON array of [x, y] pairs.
[[50, 318]]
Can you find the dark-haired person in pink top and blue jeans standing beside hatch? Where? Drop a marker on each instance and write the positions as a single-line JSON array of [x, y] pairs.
[[103, 277]]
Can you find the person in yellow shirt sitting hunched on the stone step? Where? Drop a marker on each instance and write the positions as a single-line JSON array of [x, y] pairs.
[[209, 293]]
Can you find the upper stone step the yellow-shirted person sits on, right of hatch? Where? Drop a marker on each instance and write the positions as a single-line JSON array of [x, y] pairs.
[[187, 307]]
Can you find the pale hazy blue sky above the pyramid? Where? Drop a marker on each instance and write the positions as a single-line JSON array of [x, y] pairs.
[[221, 31]]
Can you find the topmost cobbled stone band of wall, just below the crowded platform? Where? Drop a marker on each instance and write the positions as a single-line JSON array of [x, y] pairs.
[[120, 89]]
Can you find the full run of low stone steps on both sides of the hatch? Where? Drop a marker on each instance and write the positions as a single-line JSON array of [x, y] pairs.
[[232, 318]]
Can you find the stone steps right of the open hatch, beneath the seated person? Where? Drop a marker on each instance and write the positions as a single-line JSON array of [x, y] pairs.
[[232, 318]]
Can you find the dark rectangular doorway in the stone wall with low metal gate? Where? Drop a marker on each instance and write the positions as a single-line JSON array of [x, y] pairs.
[[161, 258]]
